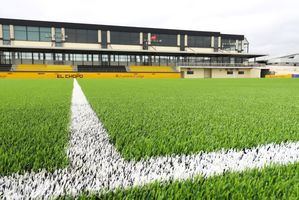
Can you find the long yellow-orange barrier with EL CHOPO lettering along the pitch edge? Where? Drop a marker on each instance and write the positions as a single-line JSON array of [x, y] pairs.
[[51, 75]]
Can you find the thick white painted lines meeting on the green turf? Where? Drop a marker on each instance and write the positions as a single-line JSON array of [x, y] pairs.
[[95, 165]]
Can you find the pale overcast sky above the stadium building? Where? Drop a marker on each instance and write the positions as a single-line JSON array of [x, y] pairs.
[[271, 26]]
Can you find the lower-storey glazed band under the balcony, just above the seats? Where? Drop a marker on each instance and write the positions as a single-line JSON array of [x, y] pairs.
[[118, 59]]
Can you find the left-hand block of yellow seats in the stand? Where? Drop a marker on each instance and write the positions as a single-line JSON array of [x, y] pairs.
[[44, 68]]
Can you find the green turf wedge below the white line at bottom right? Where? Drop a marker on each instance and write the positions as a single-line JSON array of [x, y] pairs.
[[270, 183]]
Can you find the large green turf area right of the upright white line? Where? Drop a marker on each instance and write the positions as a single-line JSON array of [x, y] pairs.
[[146, 118]]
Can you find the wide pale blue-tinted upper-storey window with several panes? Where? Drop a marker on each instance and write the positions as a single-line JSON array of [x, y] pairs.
[[30, 33]]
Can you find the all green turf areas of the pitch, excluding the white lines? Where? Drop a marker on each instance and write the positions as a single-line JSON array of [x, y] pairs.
[[148, 119]]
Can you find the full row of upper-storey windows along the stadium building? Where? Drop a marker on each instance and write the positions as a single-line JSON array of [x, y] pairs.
[[28, 33]]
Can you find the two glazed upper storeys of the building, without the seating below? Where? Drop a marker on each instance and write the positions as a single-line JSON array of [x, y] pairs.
[[41, 42]]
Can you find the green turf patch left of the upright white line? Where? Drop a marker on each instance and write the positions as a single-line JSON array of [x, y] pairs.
[[34, 121]]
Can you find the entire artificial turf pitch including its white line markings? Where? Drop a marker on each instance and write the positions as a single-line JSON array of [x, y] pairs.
[[165, 127]]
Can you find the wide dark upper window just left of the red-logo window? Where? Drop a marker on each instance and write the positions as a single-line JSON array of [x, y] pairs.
[[125, 38]]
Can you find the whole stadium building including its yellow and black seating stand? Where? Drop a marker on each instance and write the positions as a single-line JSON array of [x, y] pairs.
[[42, 46]]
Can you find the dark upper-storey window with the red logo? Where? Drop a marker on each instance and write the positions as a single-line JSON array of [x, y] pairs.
[[163, 40]]
